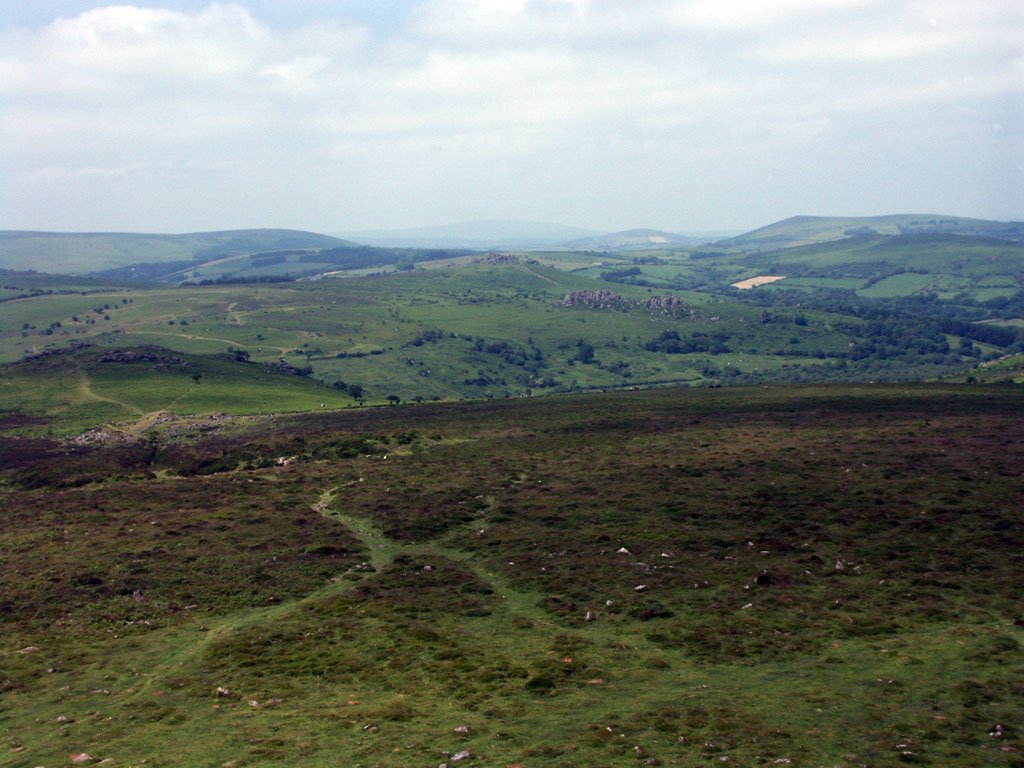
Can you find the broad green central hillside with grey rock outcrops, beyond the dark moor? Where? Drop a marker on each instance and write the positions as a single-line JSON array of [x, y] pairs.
[[521, 305]]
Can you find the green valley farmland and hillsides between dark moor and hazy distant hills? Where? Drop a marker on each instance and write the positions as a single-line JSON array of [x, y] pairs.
[[868, 309]]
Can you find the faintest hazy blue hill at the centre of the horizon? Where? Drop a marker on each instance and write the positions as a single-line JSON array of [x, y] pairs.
[[482, 236]]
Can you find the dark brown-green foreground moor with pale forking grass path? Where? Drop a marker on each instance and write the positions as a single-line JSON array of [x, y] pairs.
[[806, 577]]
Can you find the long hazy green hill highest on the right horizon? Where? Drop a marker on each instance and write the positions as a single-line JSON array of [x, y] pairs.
[[803, 231]]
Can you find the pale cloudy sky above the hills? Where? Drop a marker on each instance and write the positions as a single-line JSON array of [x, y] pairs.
[[348, 115]]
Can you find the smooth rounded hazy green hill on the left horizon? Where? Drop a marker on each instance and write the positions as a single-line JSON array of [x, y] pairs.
[[76, 253]]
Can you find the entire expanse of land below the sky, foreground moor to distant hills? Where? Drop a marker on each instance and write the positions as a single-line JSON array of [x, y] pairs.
[[273, 499]]
